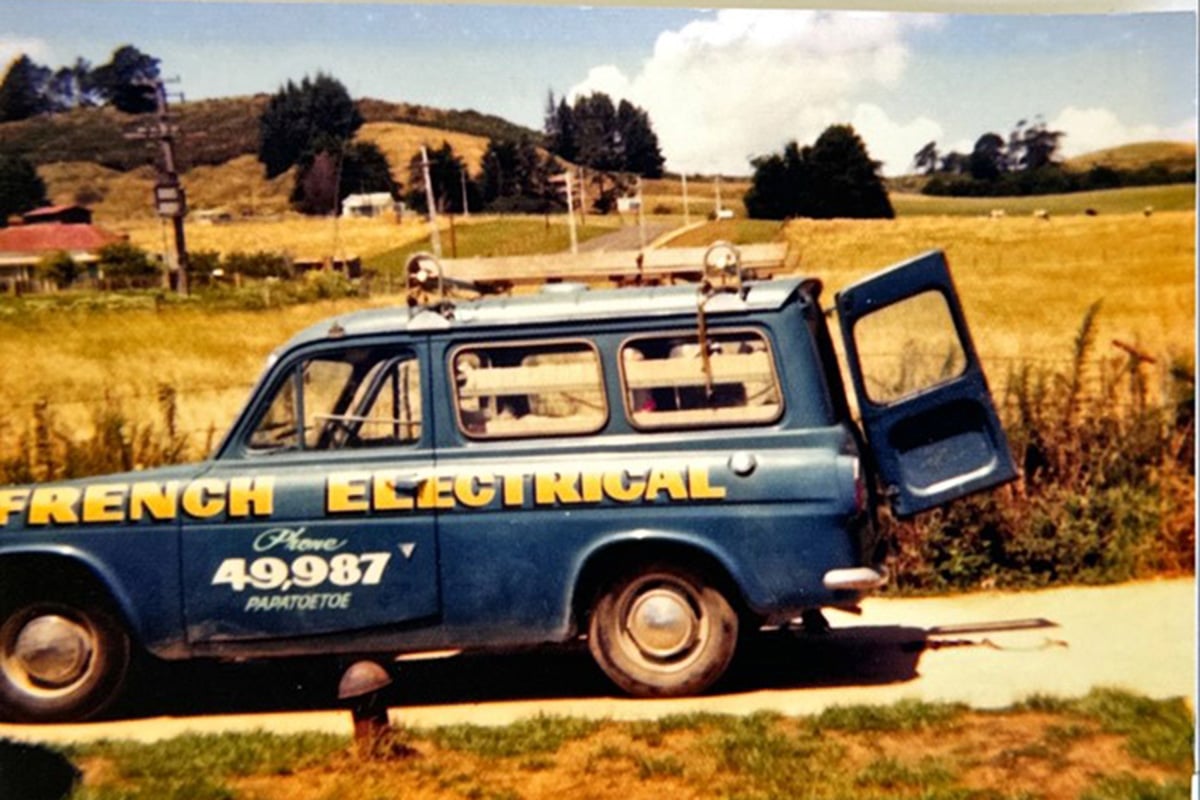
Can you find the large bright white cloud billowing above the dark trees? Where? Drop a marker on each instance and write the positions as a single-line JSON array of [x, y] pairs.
[[745, 82]]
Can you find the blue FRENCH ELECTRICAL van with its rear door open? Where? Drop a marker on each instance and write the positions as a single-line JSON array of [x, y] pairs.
[[657, 470]]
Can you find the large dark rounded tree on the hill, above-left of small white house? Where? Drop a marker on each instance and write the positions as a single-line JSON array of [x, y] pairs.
[[304, 119]]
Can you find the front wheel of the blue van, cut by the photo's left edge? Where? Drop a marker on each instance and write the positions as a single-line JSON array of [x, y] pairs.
[[62, 658]]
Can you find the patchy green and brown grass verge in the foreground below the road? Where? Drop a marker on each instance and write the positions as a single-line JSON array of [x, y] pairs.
[[1047, 749]]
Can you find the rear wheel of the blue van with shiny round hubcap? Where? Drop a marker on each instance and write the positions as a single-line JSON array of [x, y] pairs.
[[663, 631]]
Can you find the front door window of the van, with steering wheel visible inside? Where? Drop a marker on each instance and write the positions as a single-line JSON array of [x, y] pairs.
[[361, 398]]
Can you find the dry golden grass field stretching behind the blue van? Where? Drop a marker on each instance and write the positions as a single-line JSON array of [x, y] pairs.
[[1025, 284]]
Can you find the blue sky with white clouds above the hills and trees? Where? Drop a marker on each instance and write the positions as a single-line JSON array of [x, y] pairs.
[[722, 87]]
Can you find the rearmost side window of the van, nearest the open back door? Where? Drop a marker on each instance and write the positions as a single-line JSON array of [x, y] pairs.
[[669, 383]]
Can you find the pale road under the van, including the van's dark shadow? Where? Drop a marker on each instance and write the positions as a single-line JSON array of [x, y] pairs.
[[988, 649]]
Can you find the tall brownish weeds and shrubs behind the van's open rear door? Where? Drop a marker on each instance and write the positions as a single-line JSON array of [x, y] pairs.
[[1106, 492]]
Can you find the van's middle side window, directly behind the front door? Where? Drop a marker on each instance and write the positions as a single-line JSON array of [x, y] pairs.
[[536, 389]]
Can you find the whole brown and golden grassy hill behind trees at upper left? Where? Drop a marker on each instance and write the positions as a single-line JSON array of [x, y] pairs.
[[86, 158]]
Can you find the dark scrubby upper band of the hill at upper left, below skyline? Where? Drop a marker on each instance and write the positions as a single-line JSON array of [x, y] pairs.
[[214, 133]]
